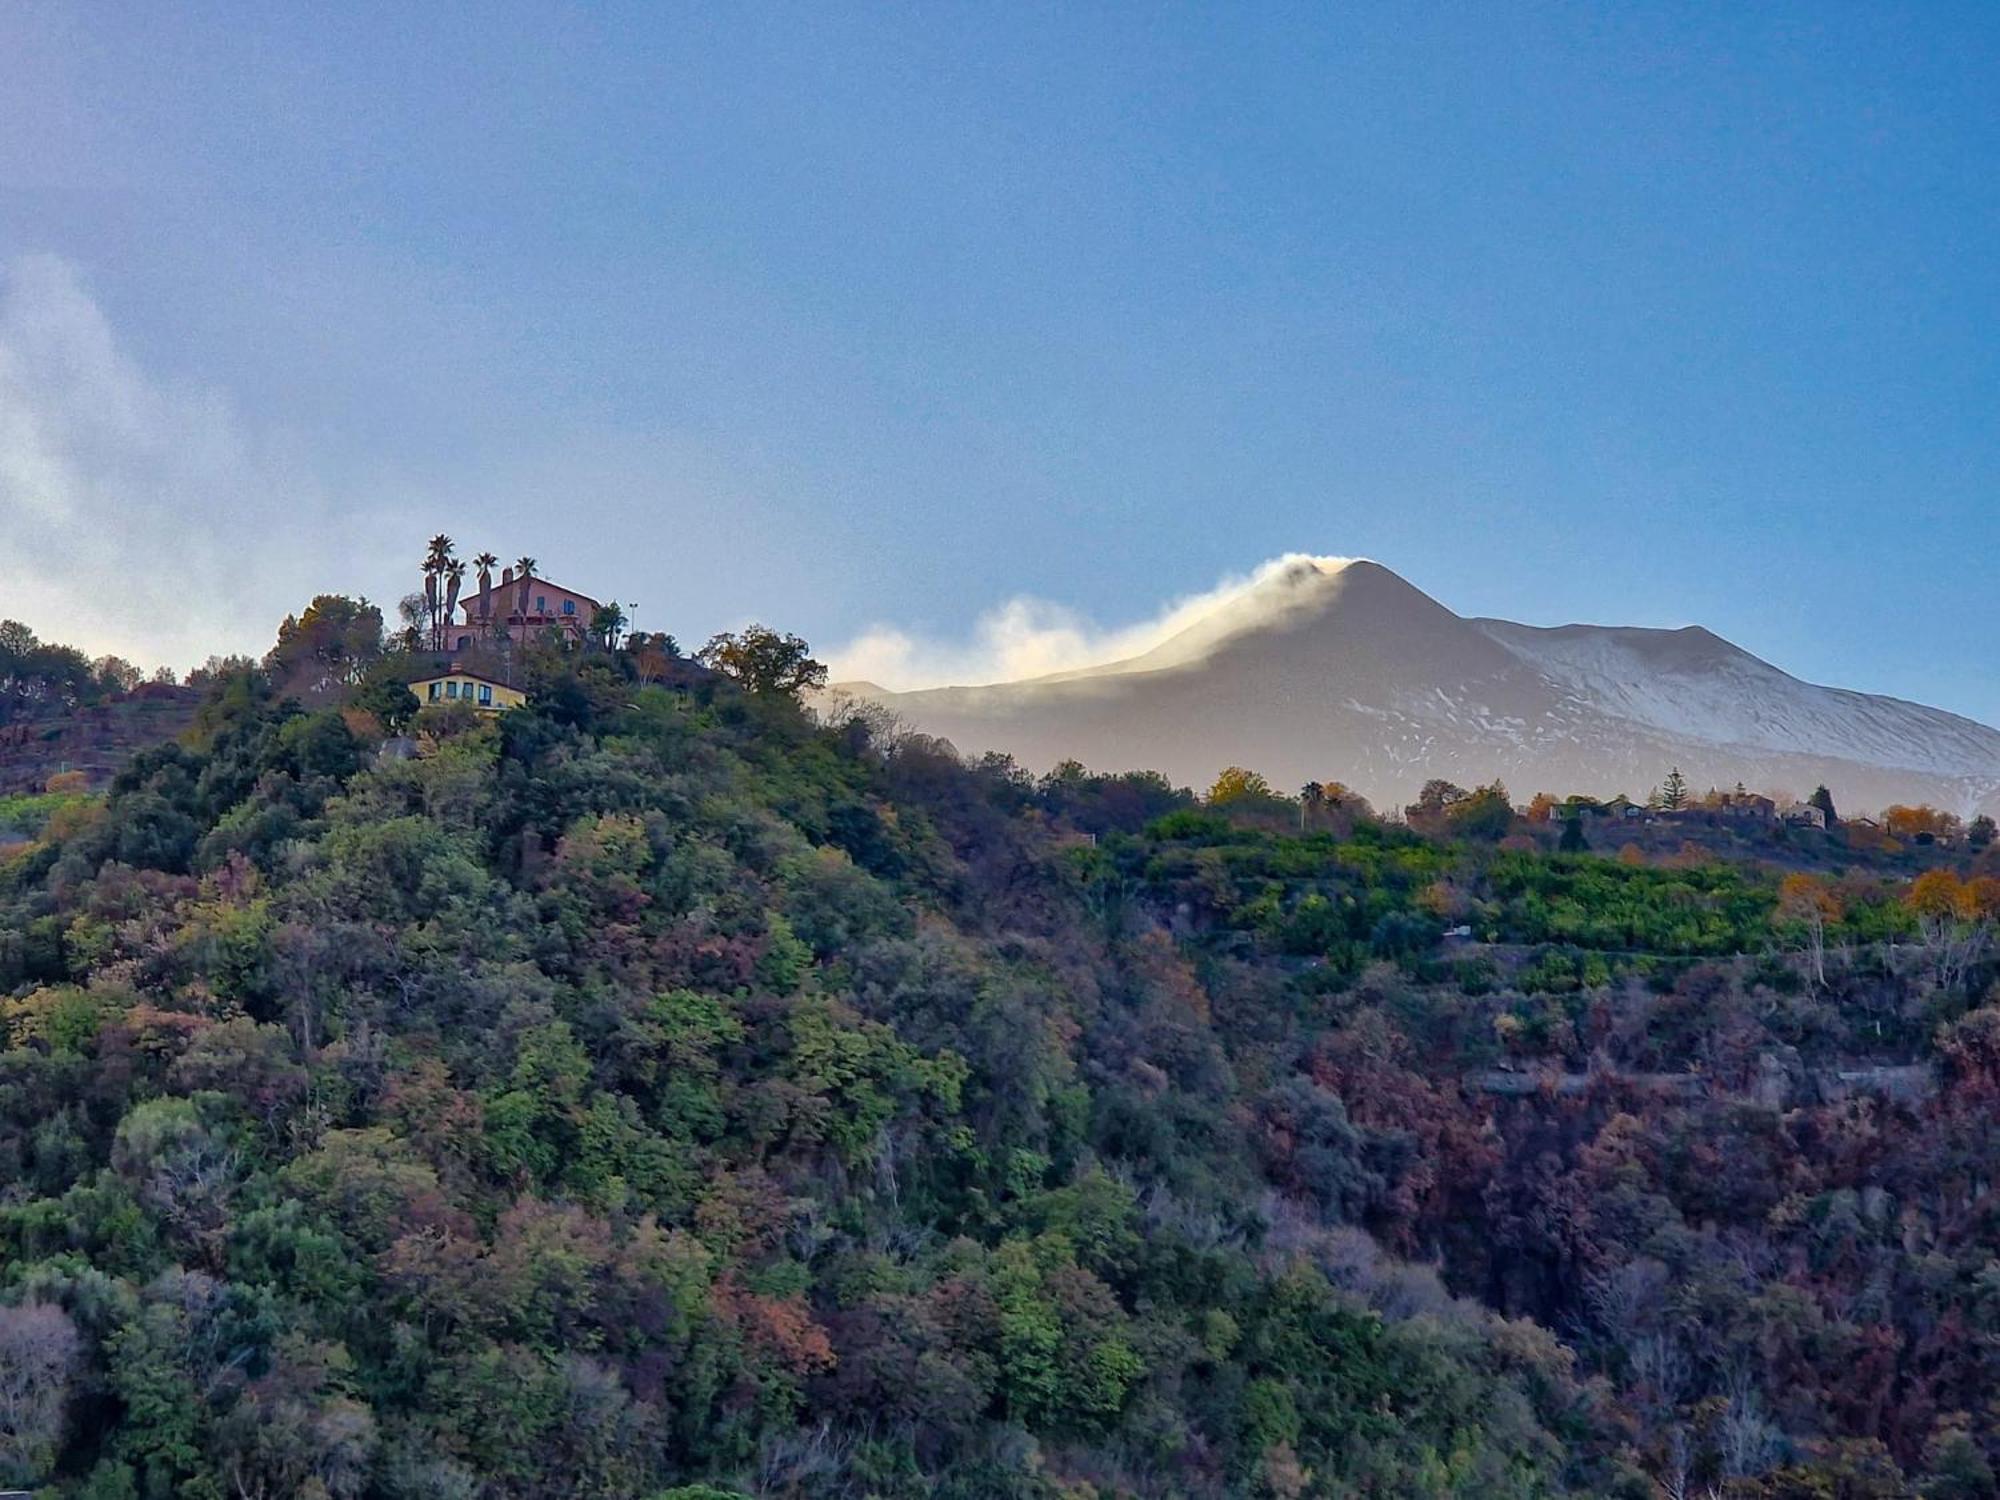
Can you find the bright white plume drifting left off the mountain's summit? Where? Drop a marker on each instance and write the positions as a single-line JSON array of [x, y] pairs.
[[1031, 637]]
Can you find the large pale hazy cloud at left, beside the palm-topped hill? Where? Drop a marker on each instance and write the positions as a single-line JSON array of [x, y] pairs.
[[137, 513]]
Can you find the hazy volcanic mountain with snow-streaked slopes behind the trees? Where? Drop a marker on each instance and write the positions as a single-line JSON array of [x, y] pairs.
[[1343, 671]]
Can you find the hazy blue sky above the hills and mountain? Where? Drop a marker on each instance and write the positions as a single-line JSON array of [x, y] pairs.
[[895, 315]]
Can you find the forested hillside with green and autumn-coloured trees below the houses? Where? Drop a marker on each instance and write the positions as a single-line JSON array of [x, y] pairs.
[[665, 1093]]
